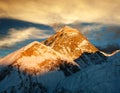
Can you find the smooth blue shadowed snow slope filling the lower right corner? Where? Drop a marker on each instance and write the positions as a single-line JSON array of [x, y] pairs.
[[100, 78]]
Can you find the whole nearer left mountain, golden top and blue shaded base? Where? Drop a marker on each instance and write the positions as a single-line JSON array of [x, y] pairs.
[[35, 68]]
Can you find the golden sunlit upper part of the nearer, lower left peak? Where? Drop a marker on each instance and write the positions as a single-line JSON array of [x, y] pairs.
[[35, 58]]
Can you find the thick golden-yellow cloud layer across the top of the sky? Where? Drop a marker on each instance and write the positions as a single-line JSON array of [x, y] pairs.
[[61, 11]]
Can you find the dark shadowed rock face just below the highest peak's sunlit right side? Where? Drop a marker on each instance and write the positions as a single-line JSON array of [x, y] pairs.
[[87, 59]]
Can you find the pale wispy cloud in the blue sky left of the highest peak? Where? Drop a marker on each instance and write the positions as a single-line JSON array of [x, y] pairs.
[[15, 36]]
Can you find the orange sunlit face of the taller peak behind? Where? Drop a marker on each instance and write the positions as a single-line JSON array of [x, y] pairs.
[[70, 42]]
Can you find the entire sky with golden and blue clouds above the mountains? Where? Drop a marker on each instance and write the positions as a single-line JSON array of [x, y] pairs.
[[23, 21]]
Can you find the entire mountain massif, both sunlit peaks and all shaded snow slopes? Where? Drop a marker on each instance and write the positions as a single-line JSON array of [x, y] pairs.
[[65, 63]]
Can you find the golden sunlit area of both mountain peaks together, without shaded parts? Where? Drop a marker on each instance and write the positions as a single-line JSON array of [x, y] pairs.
[[66, 45]]
